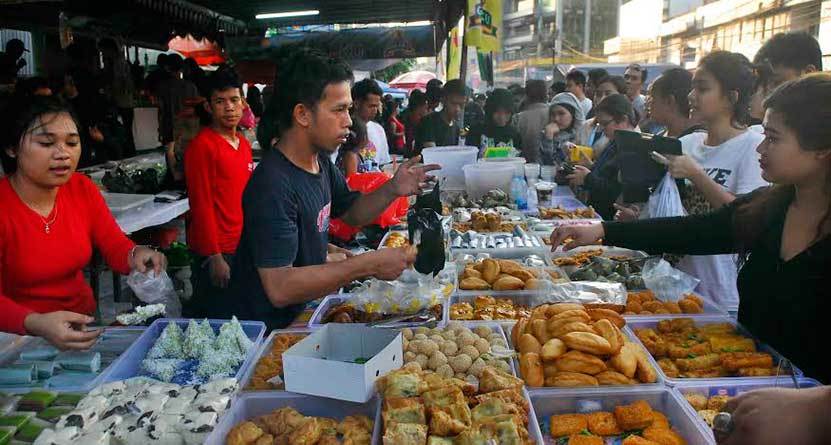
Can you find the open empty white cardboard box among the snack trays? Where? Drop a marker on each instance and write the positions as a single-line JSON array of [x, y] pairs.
[[322, 364]]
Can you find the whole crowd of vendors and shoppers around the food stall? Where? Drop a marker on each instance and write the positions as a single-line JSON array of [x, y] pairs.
[[260, 236]]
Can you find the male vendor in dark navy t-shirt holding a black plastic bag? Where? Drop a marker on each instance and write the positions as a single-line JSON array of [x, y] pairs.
[[280, 262]]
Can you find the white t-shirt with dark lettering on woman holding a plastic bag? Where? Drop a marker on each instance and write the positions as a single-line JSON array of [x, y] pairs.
[[735, 166]]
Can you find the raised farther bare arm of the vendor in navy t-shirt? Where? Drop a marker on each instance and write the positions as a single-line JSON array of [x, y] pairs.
[[409, 179]]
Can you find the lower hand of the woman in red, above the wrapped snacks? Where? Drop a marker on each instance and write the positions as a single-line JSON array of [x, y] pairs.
[[64, 330]]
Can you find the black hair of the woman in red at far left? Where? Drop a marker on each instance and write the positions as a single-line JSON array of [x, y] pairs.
[[23, 115]]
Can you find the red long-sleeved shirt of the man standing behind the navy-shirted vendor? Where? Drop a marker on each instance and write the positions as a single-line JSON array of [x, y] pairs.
[[216, 174]]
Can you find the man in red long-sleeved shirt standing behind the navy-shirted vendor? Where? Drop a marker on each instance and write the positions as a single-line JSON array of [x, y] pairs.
[[218, 164]]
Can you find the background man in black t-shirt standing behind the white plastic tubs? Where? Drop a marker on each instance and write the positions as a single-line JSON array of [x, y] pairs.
[[439, 128]]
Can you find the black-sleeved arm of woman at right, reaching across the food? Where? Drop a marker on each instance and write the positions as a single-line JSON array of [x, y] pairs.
[[706, 234]]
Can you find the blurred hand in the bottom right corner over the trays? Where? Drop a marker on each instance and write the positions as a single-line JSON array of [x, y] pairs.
[[778, 415]]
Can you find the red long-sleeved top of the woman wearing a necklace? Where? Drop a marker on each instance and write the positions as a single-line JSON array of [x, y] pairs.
[[43, 272]]
